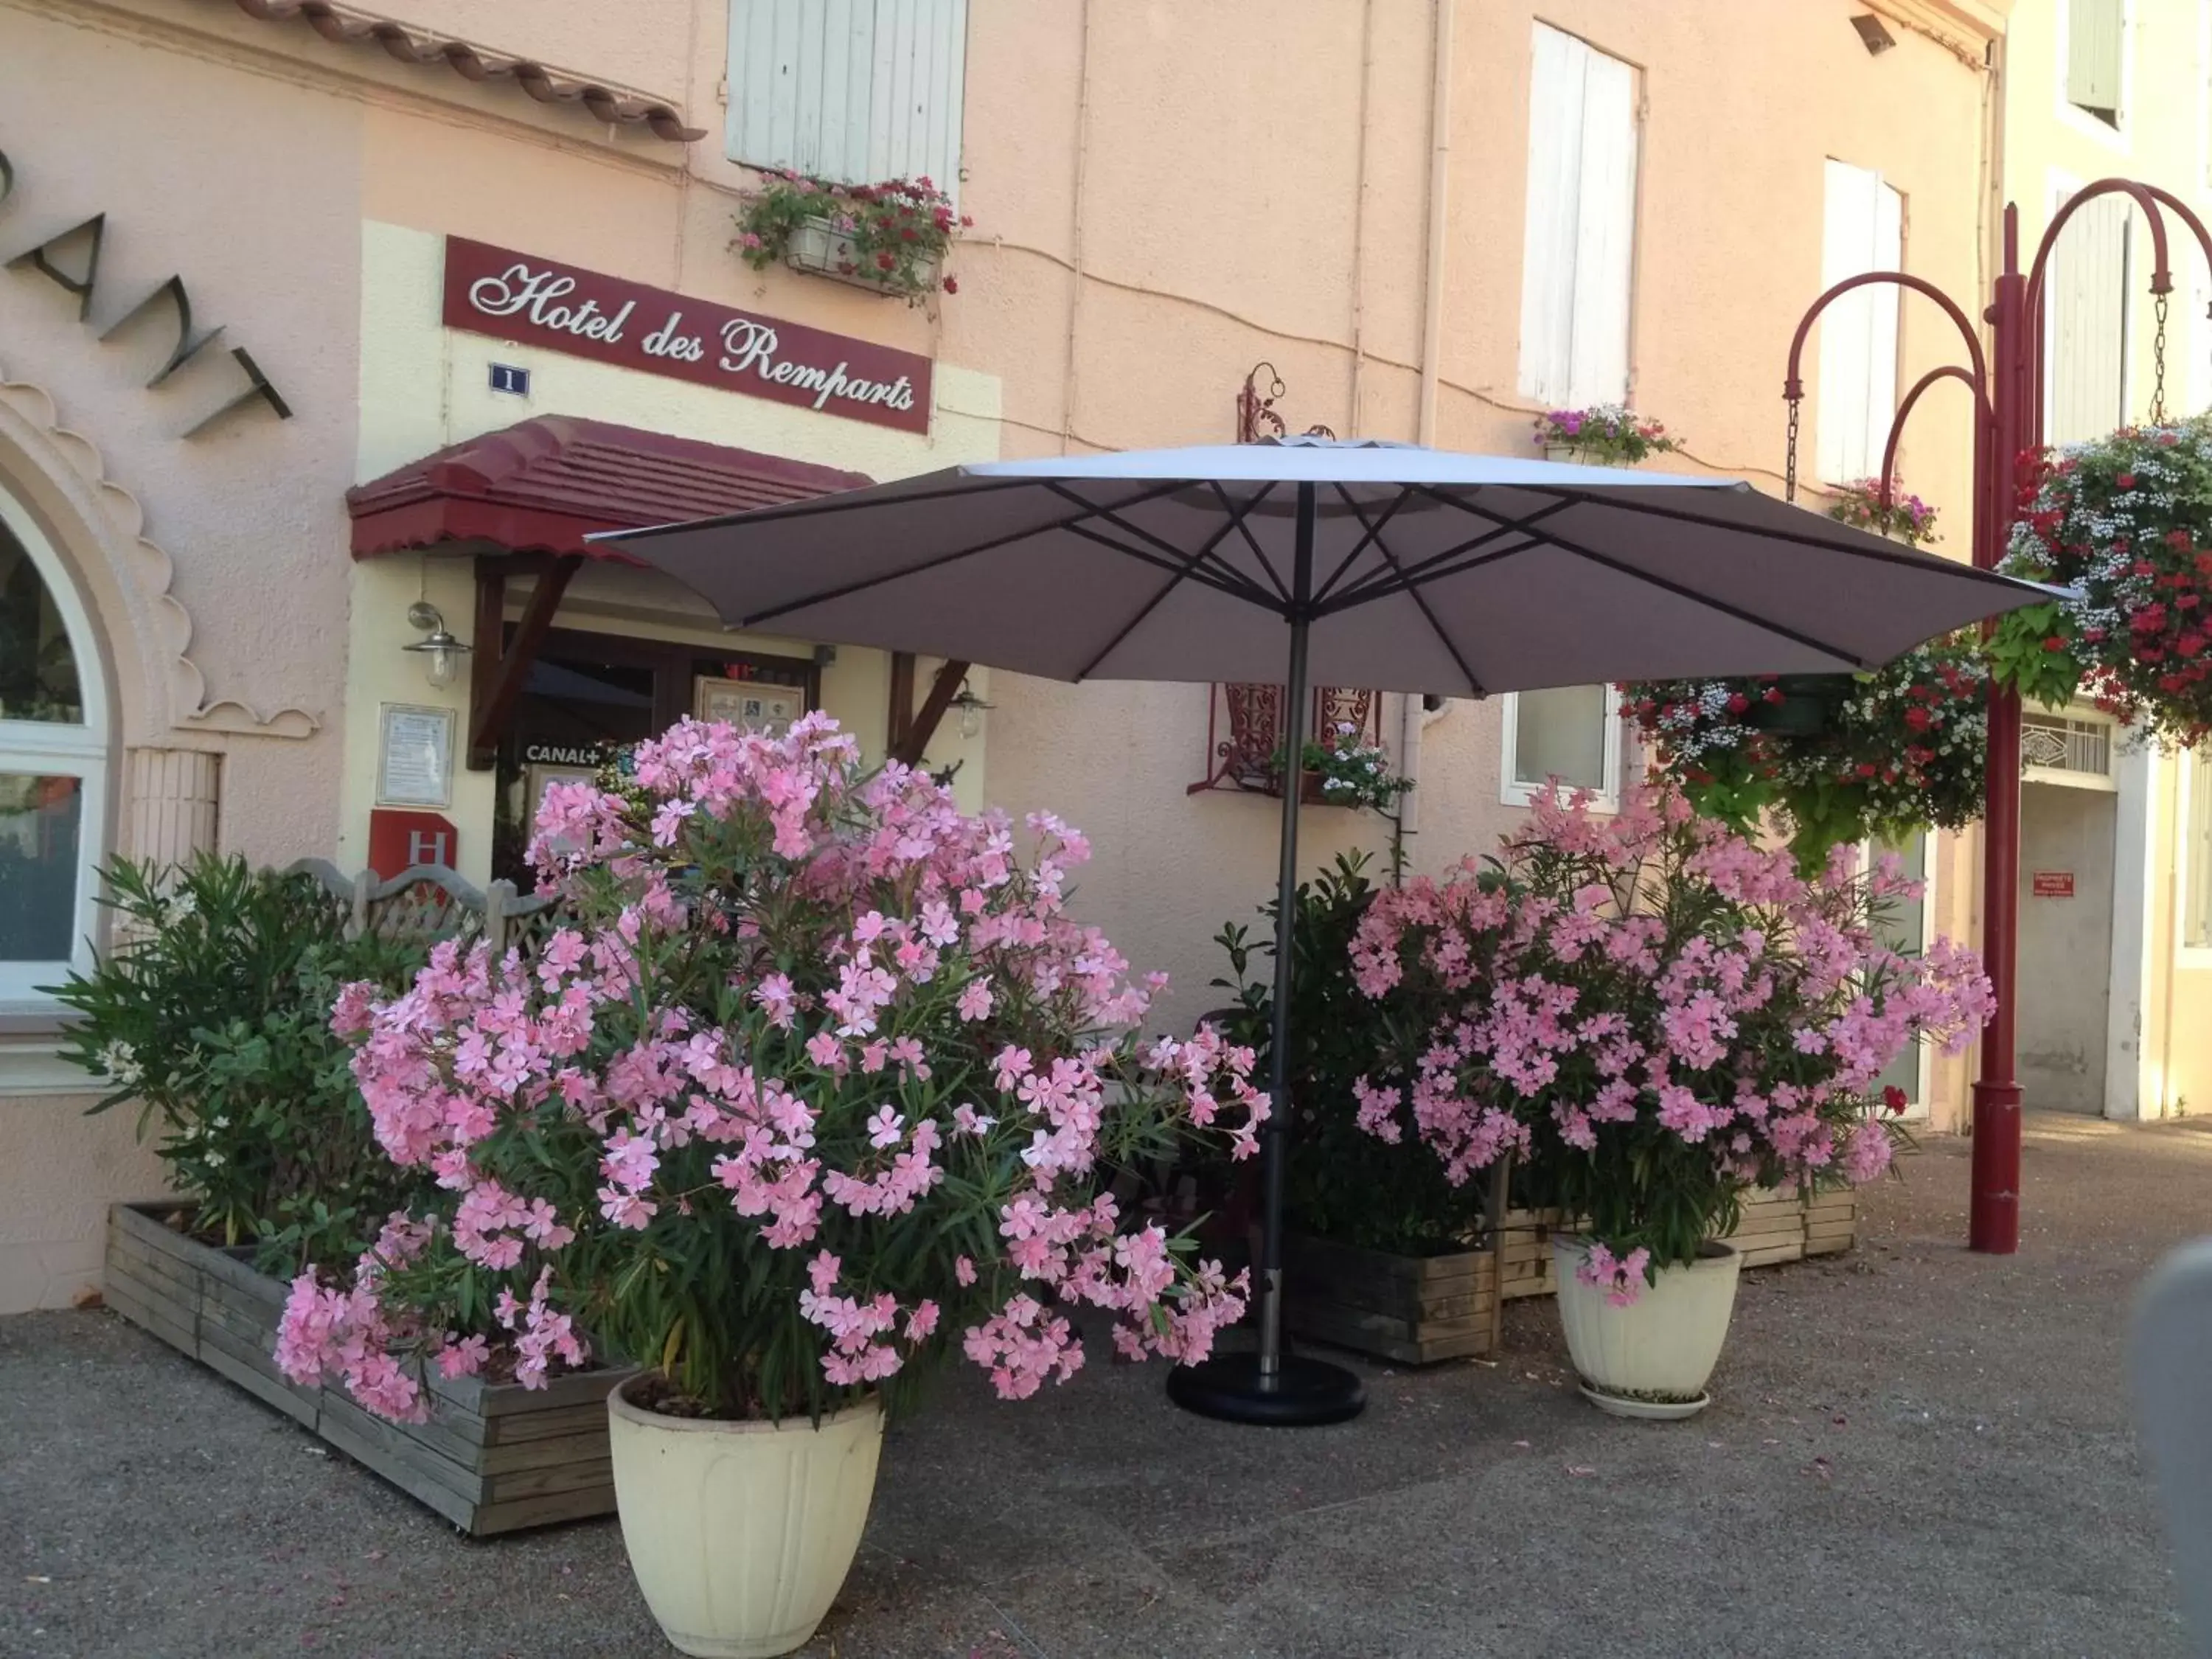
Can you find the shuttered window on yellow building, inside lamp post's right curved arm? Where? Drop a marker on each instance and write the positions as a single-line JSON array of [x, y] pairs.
[[2087, 322]]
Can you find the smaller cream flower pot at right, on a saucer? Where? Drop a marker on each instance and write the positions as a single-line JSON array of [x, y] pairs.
[[1649, 1359]]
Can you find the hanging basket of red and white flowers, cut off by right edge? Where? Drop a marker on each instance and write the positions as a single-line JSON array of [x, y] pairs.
[[2127, 525]]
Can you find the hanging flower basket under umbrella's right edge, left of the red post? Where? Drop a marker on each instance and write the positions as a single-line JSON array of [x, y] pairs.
[[1844, 755]]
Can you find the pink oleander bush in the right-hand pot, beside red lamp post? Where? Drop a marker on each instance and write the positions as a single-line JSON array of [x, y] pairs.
[[1658, 1014]]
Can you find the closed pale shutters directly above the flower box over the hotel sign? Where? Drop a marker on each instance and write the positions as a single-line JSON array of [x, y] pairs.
[[848, 90]]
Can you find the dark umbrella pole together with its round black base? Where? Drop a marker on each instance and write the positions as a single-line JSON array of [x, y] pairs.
[[1269, 1386]]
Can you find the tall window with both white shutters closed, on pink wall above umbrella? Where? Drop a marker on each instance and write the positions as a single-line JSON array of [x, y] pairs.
[[1580, 227]]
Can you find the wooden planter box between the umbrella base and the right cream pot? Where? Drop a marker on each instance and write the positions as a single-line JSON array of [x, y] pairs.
[[1415, 1311]]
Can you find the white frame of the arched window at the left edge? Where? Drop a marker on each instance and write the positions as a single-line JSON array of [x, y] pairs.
[[48, 749]]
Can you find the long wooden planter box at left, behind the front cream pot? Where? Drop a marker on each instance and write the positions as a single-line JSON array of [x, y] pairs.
[[492, 1459]]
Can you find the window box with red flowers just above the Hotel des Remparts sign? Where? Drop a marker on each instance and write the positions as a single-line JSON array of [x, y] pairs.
[[888, 238]]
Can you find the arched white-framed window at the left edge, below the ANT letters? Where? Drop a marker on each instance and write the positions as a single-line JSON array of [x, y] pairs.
[[54, 766]]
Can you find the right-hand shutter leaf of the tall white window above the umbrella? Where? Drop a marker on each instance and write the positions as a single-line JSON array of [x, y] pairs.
[[1605, 233]]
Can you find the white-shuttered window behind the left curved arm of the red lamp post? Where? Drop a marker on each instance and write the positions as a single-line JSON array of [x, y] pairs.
[[1864, 229]]
